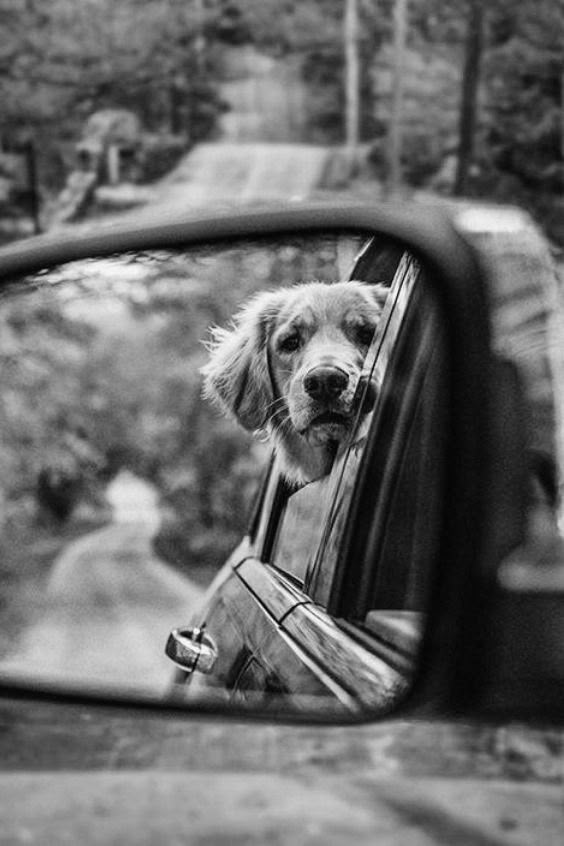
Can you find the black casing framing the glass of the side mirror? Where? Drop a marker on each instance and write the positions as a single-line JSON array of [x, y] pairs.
[[459, 657]]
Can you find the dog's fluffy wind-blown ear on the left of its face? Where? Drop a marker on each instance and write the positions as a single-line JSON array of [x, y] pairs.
[[237, 375]]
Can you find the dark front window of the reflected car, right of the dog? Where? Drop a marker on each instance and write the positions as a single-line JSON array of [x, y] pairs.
[[402, 548]]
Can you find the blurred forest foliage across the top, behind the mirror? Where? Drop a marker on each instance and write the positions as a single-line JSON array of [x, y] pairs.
[[160, 58]]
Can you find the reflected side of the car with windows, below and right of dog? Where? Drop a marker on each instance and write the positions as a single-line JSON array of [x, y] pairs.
[[324, 599]]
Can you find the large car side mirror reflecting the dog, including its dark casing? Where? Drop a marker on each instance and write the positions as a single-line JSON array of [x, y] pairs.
[[338, 528]]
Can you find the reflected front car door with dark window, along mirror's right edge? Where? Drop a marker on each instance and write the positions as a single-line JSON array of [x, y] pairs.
[[369, 580]]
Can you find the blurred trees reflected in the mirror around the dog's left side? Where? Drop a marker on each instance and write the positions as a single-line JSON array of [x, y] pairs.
[[100, 372]]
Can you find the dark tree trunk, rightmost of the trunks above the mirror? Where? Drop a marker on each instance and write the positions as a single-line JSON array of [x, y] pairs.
[[469, 102]]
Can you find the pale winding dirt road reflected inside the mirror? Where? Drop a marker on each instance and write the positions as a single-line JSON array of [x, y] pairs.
[[109, 604]]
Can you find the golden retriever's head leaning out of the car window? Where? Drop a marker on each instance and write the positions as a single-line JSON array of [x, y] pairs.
[[291, 364]]
